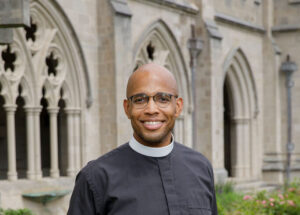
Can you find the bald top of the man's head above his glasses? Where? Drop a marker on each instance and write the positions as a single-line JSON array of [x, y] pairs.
[[149, 74]]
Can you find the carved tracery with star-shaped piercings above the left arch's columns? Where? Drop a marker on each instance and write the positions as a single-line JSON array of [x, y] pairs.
[[35, 60]]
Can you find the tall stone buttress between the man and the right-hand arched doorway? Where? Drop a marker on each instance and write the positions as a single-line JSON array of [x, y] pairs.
[[210, 119]]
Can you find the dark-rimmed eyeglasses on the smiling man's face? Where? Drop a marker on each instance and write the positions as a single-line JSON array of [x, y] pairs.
[[141, 100]]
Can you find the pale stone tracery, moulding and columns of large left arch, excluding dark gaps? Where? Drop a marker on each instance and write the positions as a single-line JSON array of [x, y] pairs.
[[46, 56]]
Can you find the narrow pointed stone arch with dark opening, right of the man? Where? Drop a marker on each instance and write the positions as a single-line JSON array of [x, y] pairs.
[[241, 94]]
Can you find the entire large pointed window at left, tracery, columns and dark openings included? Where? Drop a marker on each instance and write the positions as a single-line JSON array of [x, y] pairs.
[[42, 98]]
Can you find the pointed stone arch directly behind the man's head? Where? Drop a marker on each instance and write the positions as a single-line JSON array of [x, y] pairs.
[[157, 44]]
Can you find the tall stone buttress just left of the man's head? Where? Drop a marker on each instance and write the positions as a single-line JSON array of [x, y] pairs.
[[123, 58]]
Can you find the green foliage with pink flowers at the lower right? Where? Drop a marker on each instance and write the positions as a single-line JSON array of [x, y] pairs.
[[280, 202]]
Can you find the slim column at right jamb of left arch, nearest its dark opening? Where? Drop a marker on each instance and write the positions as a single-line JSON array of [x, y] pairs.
[[71, 149]]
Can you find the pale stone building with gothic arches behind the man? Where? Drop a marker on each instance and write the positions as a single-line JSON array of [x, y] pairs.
[[63, 79]]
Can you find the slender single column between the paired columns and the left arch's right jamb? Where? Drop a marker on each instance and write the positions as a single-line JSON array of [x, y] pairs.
[[54, 171]]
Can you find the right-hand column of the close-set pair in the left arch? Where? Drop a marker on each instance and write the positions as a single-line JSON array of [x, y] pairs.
[[37, 142]]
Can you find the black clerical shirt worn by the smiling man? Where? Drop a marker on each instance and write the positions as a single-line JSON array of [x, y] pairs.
[[124, 182]]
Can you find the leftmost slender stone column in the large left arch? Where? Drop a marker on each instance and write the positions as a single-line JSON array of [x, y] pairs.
[[11, 141]]
